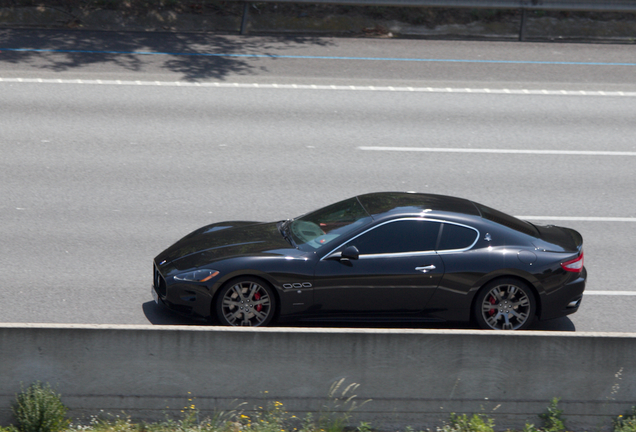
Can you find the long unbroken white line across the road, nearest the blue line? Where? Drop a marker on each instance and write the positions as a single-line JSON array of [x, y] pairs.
[[526, 92]]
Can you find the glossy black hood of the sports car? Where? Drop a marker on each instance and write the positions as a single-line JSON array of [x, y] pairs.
[[223, 240]]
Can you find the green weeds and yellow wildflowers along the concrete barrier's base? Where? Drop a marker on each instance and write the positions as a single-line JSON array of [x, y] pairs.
[[40, 409]]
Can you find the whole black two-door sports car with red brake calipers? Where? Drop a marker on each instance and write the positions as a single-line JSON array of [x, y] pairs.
[[377, 257]]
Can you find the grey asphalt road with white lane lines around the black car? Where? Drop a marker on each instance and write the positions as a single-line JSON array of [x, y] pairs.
[[115, 145]]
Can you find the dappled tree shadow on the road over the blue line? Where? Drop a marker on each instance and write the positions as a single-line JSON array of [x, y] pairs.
[[194, 55]]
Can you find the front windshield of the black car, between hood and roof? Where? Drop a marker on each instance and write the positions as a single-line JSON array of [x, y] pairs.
[[321, 227]]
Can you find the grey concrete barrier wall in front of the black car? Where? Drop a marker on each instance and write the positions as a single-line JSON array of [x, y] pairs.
[[414, 377]]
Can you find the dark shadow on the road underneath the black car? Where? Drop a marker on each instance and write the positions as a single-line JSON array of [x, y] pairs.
[[160, 315]]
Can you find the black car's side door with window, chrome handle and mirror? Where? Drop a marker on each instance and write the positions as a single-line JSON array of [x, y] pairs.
[[394, 275]]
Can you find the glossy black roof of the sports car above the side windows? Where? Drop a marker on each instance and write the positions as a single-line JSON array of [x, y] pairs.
[[383, 204]]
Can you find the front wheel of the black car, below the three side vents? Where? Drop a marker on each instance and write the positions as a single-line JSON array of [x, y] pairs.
[[245, 301]]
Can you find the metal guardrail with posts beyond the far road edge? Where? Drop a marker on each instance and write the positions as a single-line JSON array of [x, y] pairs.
[[523, 5]]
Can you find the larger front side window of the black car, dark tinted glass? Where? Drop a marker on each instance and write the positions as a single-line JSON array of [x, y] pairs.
[[398, 237]]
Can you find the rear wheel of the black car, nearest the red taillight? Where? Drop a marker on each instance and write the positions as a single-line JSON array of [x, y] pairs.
[[505, 304]]
